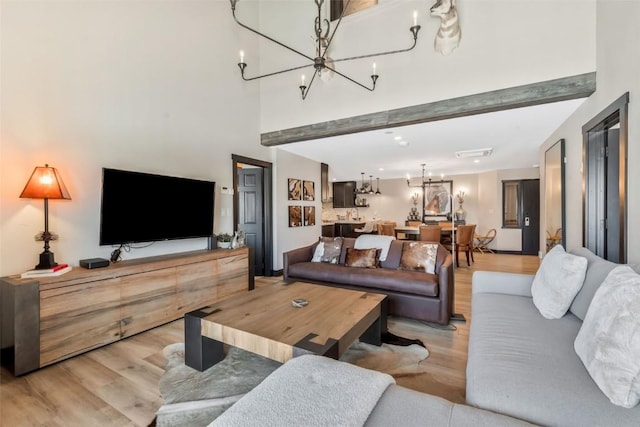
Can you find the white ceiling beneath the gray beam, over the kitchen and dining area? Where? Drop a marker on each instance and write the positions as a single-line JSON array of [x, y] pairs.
[[514, 135]]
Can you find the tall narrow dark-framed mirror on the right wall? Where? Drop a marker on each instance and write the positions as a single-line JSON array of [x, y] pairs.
[[554, 171]]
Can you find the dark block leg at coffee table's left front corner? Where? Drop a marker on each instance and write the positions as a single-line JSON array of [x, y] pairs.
[[200, 352]]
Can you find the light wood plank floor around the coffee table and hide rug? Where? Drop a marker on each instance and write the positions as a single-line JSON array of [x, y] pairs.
[[117, 385]]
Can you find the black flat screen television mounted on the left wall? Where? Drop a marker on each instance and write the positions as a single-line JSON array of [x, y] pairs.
[[142, 207]]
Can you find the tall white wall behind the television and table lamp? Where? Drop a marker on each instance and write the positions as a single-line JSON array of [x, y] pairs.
[[130, 84]]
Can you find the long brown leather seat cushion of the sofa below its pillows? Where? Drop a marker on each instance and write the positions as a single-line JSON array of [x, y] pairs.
[[378, 280]]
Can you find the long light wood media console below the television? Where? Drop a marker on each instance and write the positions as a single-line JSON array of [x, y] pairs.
[[51, 319]]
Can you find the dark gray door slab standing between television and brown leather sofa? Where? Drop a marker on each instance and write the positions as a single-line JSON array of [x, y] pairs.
[[251, 213]]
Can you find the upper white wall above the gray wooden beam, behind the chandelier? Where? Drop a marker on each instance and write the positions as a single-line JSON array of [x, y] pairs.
[[504, 43]]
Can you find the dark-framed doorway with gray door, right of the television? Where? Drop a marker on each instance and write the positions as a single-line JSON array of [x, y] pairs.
[[252, 210]]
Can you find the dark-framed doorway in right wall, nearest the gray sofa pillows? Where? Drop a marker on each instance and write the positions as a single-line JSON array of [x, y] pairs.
[[605, 182]]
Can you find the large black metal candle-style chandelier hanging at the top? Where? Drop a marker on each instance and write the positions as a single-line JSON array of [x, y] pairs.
[[321, 63]]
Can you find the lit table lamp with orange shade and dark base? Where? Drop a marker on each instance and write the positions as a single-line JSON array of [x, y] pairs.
[[45, 183]]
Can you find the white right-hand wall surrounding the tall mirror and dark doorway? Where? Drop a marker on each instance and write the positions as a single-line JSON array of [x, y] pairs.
[[618, 68]]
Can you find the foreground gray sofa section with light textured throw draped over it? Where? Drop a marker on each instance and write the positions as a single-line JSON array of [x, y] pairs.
[[318, 391]]
